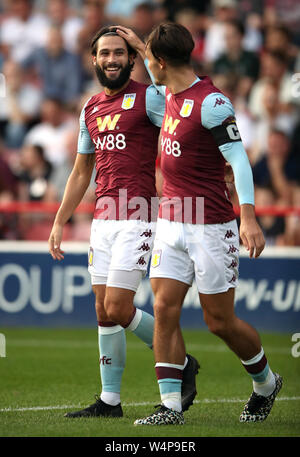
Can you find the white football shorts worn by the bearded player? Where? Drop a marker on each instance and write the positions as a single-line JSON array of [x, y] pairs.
[[120, 251]]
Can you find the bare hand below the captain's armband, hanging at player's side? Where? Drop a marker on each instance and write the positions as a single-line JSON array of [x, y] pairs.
[[252, 237]]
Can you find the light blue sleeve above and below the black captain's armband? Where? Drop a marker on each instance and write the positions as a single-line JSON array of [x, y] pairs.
[[215, 109]]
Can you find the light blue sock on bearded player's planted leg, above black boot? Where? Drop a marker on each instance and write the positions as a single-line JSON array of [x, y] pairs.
[[112, 349]]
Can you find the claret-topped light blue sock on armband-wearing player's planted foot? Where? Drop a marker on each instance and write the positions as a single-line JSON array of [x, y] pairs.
[[169, 377]]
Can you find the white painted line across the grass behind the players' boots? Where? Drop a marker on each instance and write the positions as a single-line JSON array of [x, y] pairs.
[[146, 403]]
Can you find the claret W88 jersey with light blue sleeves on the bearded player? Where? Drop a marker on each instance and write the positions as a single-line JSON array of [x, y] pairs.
[[122, 130]]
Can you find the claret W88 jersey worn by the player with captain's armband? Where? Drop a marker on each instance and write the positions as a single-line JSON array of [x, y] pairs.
[[193, 167]]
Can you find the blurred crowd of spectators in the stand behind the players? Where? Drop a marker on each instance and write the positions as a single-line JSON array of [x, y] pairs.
[[250, 49]]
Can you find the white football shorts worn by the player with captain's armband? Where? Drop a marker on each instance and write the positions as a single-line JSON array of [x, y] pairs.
[[208, 254]]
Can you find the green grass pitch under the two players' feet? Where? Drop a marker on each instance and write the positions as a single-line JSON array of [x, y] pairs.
[[47, 372]]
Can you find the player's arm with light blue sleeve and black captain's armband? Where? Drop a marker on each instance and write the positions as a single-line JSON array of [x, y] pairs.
[[218, 116]]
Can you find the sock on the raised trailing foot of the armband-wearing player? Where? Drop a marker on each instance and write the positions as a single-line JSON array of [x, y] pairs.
[[264, 381]]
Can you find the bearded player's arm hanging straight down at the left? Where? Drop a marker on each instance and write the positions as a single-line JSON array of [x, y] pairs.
[[75, 189]]
